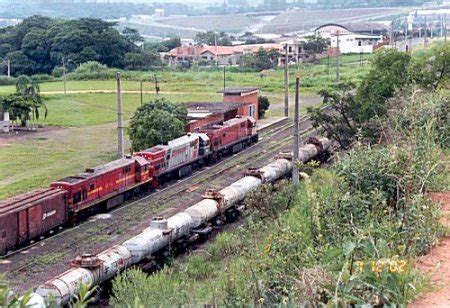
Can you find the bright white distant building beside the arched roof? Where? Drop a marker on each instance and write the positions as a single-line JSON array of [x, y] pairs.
[[355, 43]]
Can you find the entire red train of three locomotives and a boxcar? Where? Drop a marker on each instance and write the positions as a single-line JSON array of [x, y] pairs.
[[29, 216]]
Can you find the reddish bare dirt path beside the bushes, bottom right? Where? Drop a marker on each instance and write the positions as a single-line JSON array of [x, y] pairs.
[[437, 263]]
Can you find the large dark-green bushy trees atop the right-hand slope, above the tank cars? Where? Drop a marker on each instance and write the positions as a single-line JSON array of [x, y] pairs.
[[361, 114]]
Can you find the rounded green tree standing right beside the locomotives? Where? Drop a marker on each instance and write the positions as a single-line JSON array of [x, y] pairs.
[[156, 122]]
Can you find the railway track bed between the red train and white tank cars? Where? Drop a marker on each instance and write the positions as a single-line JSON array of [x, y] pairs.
[[133, 216]]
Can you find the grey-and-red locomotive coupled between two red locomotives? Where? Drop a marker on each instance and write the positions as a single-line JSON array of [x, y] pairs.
[[178, 157]]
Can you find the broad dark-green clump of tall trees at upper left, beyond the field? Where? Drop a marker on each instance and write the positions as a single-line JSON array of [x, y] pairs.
[[39, 44]]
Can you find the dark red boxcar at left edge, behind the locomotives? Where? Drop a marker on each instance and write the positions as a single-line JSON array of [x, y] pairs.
[[28, 216]]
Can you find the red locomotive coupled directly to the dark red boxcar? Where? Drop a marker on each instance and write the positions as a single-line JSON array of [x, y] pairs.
[[107, 184]]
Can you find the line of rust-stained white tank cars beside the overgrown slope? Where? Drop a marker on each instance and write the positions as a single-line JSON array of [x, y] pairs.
[[165, 233]]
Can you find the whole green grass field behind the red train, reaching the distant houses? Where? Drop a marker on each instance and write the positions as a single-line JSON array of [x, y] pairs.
[[89, 137]]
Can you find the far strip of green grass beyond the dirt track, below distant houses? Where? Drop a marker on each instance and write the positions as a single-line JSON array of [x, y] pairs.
[[313, 78]]
